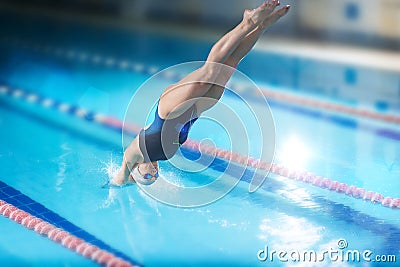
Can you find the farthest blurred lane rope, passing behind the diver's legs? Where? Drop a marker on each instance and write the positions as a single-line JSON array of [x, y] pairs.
[[123, 64]]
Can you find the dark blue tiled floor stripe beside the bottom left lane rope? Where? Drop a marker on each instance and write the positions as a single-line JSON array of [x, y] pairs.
[[23, 202]]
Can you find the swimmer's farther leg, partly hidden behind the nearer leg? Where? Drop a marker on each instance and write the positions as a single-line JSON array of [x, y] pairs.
[[215, 92]]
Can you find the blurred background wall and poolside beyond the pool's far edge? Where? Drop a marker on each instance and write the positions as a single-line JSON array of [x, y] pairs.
[[365, 23]]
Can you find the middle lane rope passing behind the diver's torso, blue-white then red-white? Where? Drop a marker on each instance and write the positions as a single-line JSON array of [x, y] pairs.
[[301, 176]]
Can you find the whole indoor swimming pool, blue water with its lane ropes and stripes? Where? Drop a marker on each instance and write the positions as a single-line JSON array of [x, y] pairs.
[[334, 184]]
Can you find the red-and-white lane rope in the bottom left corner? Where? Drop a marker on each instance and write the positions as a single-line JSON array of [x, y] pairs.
[[62, 237]]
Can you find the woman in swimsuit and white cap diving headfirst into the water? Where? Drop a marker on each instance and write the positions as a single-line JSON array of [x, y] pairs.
[[181, 104]]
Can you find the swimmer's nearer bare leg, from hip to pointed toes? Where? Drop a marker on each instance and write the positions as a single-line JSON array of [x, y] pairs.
[[197, 83]]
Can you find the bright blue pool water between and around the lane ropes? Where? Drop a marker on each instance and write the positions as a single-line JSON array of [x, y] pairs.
[[60, 161]]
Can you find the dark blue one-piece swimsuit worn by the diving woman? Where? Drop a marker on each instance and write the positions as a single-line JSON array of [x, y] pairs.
[[162, 138]]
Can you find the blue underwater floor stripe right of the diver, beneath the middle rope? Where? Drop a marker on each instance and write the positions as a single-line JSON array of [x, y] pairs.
[[338, 211]]
